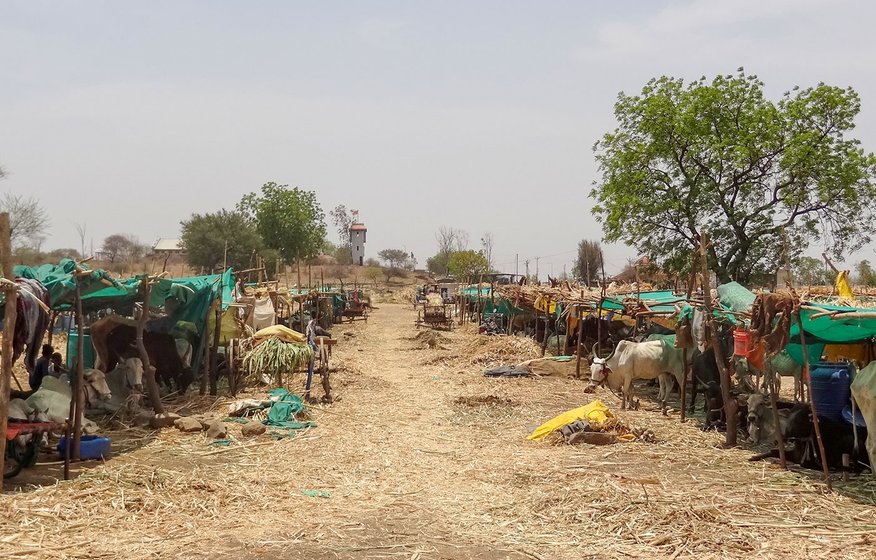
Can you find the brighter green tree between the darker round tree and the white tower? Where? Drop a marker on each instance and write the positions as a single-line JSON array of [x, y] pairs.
[[288, 220]]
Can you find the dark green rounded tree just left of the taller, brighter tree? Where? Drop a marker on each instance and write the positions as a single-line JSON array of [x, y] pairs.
[[204, 237]]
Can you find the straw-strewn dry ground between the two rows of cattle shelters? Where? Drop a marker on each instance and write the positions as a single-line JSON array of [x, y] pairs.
[[423, 457]]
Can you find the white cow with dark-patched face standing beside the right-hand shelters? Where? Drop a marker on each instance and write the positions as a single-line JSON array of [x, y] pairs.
[[636, 360]]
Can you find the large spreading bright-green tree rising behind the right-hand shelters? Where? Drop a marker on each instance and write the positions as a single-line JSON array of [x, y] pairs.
[[719, 156]]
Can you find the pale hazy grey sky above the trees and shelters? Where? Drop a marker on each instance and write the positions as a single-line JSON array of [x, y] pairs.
[[130, 116]]
